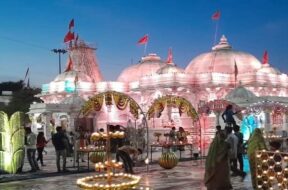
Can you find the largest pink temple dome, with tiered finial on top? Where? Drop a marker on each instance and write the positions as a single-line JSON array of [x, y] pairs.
[[222, 59]]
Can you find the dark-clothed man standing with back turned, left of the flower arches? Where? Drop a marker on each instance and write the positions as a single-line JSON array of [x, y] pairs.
[[58, 141]]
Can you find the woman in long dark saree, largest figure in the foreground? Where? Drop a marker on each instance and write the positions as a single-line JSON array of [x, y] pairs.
[[217, 171]]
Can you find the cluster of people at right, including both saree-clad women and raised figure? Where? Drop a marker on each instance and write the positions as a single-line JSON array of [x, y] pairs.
[[226, 151]]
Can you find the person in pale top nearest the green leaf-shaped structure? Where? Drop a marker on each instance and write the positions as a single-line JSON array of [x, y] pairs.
[[31, 149]]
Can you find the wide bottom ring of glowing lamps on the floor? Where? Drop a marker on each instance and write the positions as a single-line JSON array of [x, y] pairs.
[[99, 182]]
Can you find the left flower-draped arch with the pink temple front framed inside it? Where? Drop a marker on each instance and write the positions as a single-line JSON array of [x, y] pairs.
[[116, 109]]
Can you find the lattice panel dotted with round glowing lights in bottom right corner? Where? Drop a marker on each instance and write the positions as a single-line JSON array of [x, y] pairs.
[[271, 169]]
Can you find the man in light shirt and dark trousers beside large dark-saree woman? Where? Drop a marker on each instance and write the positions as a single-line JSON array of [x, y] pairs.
[[232, 140]]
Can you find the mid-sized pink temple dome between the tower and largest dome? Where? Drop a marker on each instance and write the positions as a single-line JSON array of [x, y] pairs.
[[148, 65]]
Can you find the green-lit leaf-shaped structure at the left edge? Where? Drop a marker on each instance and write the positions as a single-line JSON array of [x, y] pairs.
[[12, 135]]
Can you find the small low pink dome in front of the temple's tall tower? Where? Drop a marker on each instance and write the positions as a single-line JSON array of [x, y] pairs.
[[71, 75]]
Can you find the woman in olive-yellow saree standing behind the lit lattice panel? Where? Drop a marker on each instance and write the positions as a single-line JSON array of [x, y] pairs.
[[255, 143]]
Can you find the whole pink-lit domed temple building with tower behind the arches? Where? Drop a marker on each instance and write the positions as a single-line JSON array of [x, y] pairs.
[[210, 82]]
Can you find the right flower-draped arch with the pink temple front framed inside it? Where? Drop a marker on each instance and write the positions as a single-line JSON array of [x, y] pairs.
[[177, 112]]
